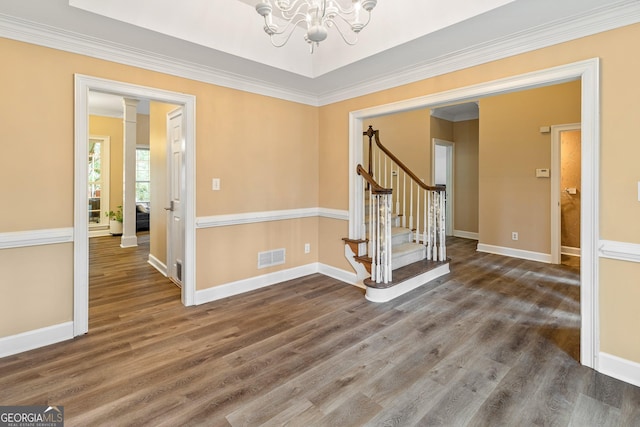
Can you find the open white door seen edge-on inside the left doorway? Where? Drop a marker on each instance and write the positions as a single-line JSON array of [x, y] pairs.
[[176, 186]]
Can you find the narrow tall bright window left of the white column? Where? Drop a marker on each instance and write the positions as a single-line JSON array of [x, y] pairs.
[[98, 180]]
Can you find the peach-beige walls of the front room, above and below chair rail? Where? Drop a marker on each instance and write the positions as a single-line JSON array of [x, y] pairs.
[[241, 138]]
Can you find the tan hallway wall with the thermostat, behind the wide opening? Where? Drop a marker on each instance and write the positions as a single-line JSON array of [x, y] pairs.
[[511, 198]]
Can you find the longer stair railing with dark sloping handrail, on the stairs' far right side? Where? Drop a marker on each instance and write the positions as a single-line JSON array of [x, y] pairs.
[[421, 207]]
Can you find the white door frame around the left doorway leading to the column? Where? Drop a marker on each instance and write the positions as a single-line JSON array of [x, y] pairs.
[[84, 84]]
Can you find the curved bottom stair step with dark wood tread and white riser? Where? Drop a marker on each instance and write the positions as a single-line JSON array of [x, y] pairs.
[[406, 279]]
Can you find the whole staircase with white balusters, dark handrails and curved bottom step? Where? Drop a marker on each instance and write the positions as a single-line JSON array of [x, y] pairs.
[[394, 257]]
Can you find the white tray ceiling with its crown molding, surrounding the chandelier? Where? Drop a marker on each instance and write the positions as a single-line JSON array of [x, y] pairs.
[[222, 41]]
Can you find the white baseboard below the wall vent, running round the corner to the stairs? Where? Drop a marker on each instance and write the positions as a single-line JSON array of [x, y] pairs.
[[246, 285]]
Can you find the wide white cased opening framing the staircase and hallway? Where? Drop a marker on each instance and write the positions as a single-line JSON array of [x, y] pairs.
[[588, 71]]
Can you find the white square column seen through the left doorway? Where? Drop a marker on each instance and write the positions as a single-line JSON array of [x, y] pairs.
[[129, 237]]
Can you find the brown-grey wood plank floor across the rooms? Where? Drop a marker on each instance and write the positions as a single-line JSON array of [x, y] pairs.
[[493, 343]]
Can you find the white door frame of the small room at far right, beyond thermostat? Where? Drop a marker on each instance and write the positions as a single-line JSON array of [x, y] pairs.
[[556, 209]]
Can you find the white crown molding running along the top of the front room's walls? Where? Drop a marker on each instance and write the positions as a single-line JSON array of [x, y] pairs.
[[603, 19]]
